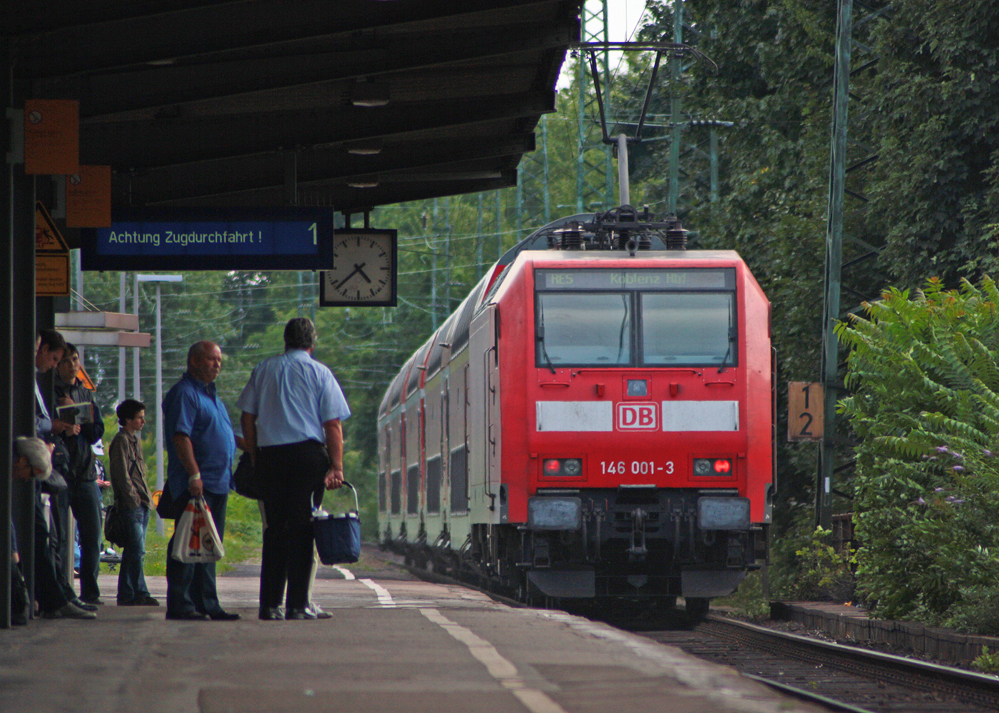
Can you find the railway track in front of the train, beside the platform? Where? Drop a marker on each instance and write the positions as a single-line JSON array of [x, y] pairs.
[[840, 677]]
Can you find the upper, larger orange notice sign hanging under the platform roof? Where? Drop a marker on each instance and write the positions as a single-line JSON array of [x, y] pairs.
[[51, 136]]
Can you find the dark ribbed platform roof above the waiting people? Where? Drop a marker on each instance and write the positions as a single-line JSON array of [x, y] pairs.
[[220, 103]]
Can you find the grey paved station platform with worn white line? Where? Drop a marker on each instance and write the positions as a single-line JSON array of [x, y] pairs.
[[394, 643]]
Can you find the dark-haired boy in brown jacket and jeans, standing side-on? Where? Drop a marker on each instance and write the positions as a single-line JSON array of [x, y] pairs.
[[131, 495]]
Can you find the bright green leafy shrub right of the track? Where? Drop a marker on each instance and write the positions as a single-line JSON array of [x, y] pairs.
[[926, 408]]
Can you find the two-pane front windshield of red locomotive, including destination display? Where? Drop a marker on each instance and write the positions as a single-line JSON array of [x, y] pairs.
[[651, 317]]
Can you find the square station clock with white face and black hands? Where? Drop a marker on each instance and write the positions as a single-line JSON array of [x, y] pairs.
[[364, 272]]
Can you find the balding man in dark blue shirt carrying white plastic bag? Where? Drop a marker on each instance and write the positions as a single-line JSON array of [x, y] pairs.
[[200, 445]]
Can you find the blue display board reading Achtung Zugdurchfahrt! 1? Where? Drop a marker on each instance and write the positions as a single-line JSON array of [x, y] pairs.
[[289, 238]]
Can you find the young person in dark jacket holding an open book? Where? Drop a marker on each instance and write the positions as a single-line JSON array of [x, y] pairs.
[[82, 426]]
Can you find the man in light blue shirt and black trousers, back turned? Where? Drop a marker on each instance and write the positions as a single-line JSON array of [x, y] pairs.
[[292, 408]]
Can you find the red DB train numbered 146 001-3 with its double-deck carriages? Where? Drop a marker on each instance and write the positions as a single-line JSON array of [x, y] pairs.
[[595, 420]]
